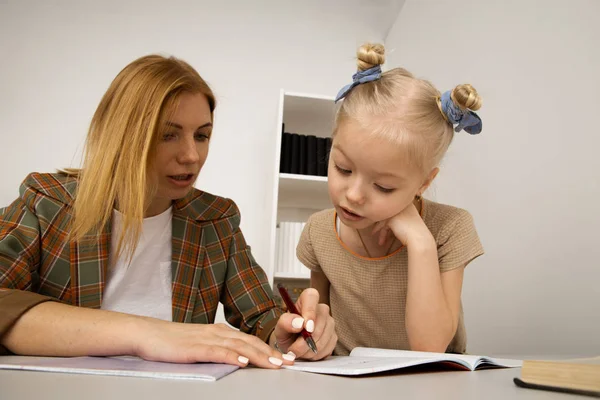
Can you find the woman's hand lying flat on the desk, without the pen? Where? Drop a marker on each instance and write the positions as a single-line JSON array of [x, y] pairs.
[[189, 343]]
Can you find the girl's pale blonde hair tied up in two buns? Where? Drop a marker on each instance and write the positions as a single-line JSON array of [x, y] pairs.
[[404, 110]]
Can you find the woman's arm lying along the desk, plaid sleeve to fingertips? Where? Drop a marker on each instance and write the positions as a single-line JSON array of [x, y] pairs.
[[55, 329]]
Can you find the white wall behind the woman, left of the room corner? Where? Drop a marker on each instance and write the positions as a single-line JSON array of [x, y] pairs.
[[58, 58]]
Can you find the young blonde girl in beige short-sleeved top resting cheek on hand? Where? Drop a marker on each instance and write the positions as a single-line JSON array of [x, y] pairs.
[[388, 262]]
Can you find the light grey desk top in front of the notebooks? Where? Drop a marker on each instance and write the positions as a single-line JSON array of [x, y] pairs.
[[251, 383]]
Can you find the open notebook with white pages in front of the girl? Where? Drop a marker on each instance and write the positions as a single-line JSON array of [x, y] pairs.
[[364, 360]]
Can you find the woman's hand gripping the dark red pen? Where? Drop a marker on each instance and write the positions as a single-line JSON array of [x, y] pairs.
[[316, 319]]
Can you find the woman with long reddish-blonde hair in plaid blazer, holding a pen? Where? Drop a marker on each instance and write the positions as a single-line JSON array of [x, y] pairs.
[[125, 256]]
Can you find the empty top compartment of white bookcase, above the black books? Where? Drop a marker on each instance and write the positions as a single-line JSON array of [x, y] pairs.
[[308, 114]]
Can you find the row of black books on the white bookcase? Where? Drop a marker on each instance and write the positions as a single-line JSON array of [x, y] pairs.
[[304, 154]]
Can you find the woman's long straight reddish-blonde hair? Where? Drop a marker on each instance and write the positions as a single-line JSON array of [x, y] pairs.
[[121, 142]]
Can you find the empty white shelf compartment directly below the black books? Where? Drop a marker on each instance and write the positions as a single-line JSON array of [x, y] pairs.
[[303, 191]]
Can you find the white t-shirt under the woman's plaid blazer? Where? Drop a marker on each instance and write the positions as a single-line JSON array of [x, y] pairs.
[[143, 287]]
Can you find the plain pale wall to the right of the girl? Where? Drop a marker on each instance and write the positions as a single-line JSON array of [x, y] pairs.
[[531, 178]]
